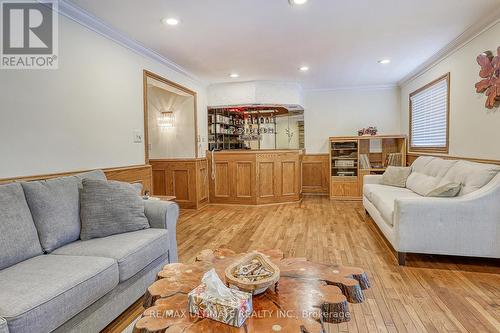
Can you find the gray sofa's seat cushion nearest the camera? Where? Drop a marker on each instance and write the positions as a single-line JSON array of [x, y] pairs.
[[40, 294]]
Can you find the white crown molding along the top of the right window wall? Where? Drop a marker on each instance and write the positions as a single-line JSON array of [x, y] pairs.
[[455, 45]]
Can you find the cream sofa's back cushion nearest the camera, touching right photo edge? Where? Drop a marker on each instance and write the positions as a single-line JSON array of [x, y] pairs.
[[471, 175]]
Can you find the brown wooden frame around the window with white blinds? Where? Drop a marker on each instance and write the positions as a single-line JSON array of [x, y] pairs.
[[431, 149]]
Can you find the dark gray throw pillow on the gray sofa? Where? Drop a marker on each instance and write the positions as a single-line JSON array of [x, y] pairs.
[[109, 208]]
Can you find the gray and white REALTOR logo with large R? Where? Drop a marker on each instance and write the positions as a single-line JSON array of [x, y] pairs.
[[29, 35]]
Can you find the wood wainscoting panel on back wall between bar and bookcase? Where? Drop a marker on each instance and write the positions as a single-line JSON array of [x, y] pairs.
[[315, 174]]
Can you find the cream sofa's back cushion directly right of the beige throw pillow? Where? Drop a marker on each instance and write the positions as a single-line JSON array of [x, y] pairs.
[[427, 172]]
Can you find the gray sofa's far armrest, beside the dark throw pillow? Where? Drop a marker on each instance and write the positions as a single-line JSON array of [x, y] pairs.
[[164, 215]]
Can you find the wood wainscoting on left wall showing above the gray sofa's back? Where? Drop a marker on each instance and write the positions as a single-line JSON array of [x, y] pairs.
[[130, 174]]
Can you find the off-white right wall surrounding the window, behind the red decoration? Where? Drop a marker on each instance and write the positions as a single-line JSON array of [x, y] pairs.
[[474, 130]]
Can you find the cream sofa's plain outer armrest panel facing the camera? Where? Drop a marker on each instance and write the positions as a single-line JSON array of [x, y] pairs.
[[467, 225]]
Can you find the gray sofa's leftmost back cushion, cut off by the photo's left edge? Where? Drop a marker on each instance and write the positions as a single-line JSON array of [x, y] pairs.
[[18, 236]]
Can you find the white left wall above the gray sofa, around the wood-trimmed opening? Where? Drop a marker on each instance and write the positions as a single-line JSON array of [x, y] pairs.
[[82, 115]]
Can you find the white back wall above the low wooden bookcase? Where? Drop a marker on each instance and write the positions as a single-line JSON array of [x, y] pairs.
[[343, 112]]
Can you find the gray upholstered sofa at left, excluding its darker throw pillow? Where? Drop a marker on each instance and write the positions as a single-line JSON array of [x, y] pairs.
[[80, 286]]
